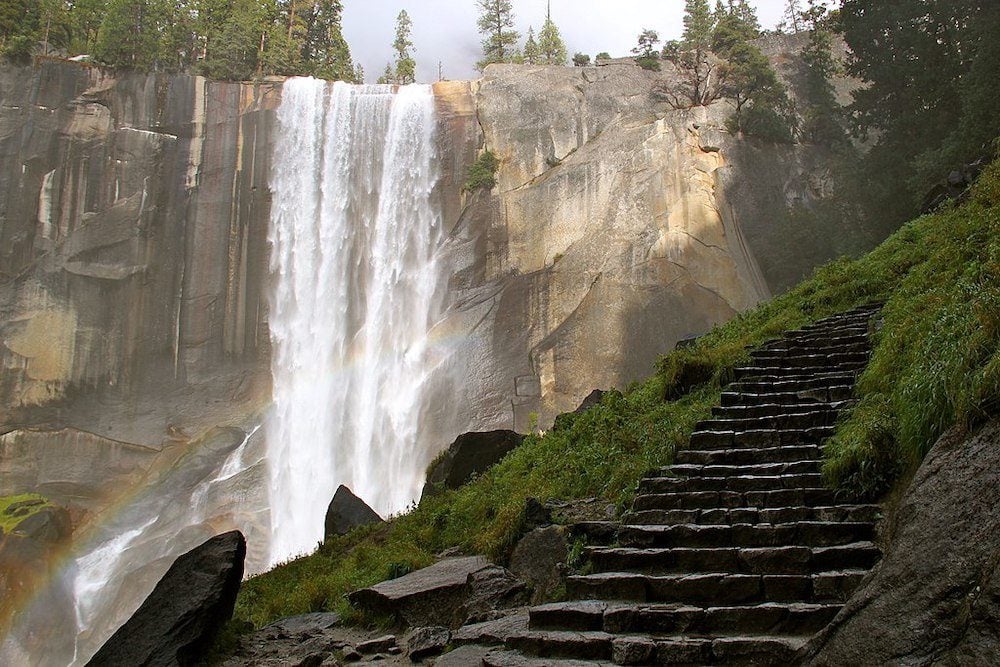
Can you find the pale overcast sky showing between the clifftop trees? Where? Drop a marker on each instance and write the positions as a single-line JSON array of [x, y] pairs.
[[445, 30]]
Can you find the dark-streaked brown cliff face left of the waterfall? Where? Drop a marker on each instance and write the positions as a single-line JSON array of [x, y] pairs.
[[133, 226]]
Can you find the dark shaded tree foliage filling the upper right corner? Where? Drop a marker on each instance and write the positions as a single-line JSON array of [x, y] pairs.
[[931, 67]]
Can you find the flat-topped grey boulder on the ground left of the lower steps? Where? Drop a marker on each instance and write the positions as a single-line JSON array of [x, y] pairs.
[[449, 593]]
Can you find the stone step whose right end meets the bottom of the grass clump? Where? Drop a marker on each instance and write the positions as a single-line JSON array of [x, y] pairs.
[[812, 497]]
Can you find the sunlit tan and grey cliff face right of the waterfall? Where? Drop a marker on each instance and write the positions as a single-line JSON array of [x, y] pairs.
[[618, 226]]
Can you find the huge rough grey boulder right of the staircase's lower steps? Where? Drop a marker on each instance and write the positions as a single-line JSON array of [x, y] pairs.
[[935, 597]]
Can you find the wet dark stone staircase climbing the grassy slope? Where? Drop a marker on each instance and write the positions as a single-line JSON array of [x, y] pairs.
[[736, 554]]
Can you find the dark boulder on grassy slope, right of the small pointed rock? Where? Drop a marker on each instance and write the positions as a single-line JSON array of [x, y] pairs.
[[471, 454]]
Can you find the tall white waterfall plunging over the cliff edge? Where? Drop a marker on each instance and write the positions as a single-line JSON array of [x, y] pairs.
[[355, 233]]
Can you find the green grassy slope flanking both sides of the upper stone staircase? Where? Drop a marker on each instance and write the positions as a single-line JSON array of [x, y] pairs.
[[936, 363]]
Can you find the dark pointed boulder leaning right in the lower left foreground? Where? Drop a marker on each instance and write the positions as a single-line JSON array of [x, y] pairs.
[[180, 618]]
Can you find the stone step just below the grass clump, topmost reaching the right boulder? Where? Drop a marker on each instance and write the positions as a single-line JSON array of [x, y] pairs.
[[718, 517]]
